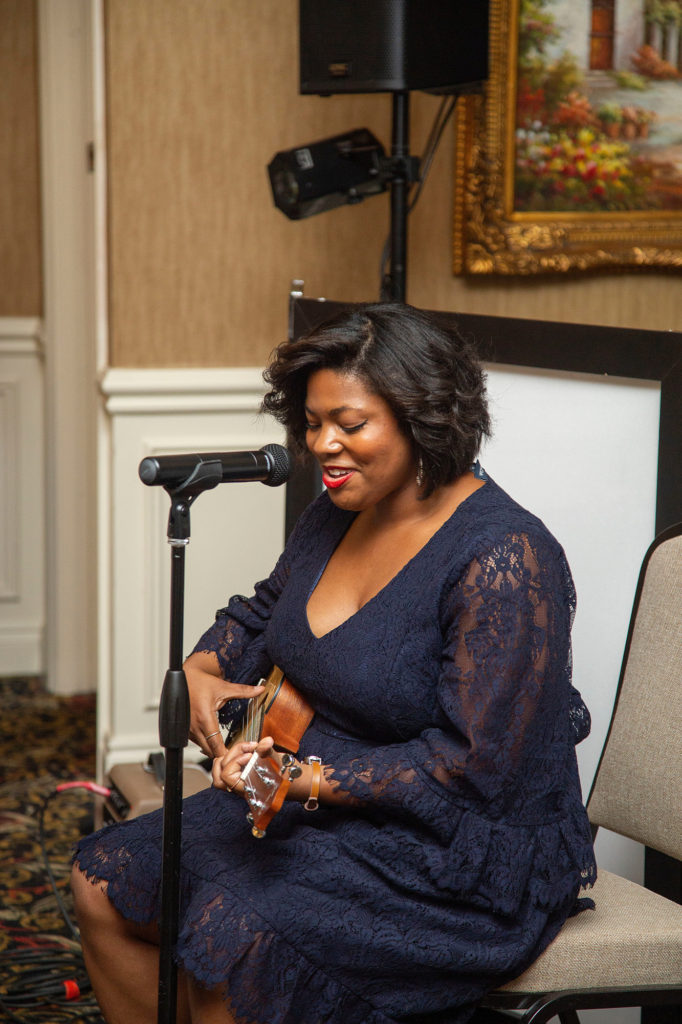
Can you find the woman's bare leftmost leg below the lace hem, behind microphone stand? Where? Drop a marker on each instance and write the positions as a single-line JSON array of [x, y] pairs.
[[122, 959]]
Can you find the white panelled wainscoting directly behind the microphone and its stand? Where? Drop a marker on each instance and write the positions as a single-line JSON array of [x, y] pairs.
[[237, 534]]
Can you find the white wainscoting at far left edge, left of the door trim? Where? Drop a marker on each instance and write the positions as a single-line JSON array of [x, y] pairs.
[[22, 499]]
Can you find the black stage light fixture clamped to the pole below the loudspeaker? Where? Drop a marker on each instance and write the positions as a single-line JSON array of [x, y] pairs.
[[328, 174]]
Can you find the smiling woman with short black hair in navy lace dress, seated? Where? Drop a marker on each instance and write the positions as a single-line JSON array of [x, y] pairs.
[[427, 618]]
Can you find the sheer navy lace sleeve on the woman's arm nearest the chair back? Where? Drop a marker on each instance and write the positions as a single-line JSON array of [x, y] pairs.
[[503, 691]]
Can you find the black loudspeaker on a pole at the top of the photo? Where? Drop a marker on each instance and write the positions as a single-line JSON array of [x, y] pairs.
[[393, 46]]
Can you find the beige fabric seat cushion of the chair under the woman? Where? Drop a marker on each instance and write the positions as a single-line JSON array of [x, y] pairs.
[[633, 937]]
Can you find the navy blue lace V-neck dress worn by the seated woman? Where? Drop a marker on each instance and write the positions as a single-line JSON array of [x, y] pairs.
[[446, 707]]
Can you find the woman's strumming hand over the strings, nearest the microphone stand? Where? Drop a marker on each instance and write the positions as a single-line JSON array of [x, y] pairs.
[[208, 693]]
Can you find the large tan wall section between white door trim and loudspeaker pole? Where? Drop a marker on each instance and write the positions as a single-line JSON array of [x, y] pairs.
[[202, 94]]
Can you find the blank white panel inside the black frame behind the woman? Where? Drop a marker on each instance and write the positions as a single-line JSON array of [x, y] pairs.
[[581, 452]]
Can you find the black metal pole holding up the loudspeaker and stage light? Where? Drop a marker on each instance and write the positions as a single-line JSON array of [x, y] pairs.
[[399, 194]]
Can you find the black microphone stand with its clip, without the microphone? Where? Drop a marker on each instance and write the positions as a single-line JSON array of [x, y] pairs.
[[175, 735]]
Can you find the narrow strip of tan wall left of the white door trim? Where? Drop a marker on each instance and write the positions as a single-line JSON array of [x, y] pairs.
[[21, 285]]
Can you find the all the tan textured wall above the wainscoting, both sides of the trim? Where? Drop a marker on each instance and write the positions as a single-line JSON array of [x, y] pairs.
[[201, 95]]
